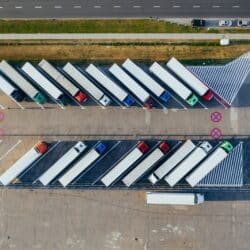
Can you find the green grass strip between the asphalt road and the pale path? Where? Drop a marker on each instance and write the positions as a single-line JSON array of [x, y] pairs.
[[92, 26]]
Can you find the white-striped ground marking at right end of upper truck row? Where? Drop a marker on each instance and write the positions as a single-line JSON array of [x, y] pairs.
[[225, 80]]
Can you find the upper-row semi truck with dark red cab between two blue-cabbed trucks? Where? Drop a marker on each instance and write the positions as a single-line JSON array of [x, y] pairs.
[[132, 85]]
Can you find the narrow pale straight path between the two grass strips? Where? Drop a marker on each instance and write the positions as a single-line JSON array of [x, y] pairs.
[[194, 36]]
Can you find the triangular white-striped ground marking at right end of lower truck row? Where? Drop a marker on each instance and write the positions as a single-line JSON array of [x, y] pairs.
[[229, 172]]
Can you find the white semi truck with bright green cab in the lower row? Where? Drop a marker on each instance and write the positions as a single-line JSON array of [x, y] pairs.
[[209, 164]]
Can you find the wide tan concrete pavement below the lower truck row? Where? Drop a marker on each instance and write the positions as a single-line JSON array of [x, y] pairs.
[[62, 220]]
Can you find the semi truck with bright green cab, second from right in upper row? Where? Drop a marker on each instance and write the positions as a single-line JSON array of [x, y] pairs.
[[179, 88]]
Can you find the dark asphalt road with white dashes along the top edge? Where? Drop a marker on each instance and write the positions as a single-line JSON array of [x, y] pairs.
[[122, 8]]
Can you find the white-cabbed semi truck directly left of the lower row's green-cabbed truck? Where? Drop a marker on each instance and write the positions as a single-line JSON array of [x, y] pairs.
[[188, 163]]
